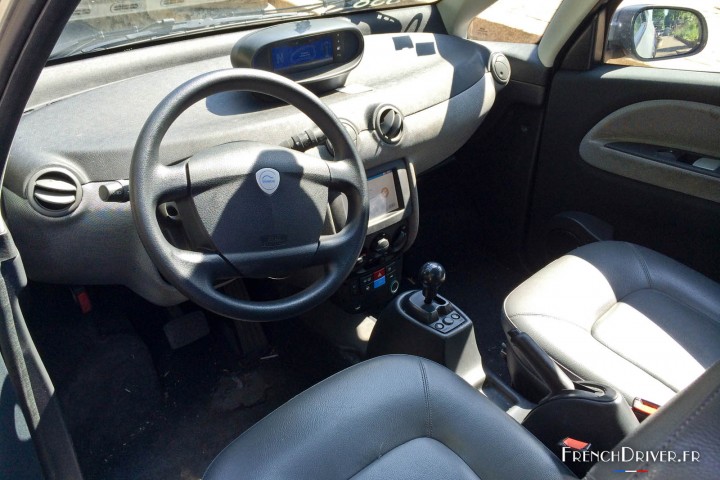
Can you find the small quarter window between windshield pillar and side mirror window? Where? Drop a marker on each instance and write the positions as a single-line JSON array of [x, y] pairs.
[[516, 21]]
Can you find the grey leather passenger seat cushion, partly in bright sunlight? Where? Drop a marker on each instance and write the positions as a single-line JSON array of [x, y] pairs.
[[624, 315]]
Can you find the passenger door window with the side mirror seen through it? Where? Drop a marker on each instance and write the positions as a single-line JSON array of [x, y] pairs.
[[680, 38]]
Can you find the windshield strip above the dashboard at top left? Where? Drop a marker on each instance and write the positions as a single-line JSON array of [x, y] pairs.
[[101, 24]]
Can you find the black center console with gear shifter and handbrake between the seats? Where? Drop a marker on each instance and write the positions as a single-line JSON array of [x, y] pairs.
[[572, 416]]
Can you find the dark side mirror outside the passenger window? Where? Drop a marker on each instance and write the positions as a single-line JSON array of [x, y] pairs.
[[651, 33]]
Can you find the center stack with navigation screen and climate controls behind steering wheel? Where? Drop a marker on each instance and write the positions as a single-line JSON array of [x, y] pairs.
[[392, 227]]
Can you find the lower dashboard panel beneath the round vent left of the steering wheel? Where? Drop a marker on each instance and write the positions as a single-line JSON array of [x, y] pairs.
[[96, 244]]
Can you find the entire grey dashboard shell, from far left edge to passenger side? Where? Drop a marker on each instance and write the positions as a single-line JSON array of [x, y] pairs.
[[437, 81]]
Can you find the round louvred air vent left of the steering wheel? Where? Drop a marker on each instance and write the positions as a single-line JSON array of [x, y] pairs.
[[54, 191]]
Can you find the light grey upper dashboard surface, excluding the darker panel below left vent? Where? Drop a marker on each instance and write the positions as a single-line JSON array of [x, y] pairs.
[[94, 132]]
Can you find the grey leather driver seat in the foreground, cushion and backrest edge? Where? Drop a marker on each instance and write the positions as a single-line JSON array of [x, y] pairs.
[[403, 417]]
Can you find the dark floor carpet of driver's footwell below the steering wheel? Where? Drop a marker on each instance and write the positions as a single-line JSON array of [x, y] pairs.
[[138, 409]]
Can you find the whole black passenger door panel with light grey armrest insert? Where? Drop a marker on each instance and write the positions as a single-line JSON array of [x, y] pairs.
[[669, 208]]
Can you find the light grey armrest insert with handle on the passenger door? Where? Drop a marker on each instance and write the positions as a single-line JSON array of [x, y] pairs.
[[662, 143]]
